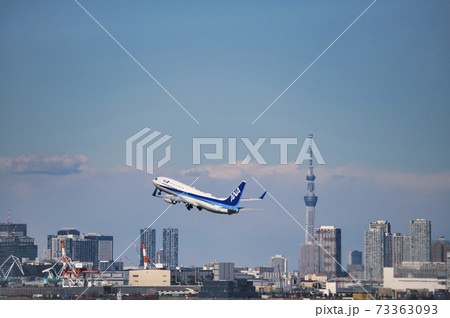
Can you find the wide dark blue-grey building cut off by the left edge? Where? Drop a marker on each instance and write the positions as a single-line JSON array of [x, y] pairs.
[[14, 241]]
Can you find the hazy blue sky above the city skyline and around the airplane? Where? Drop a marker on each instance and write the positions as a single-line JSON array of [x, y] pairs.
[[377, 99]]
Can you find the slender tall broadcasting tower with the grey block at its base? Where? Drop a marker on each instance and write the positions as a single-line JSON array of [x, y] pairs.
[[309, 252]]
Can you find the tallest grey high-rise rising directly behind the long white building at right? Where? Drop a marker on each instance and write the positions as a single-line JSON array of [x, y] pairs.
[[420, 231]]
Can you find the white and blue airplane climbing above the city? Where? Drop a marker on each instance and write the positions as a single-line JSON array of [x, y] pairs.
[[178, 192]]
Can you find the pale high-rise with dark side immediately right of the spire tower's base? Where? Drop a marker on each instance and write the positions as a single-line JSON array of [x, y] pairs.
[[329, 240]]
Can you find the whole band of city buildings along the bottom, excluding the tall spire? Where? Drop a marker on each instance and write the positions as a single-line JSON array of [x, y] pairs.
[[223, 280]]
